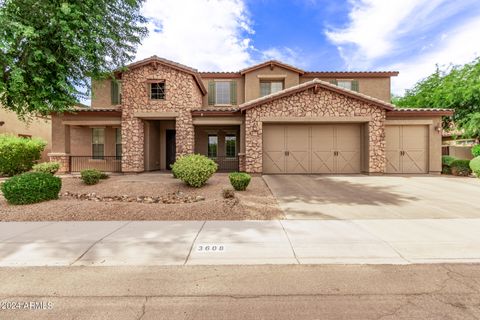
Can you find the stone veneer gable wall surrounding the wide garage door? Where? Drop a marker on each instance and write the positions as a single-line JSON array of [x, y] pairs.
[[308, 104]]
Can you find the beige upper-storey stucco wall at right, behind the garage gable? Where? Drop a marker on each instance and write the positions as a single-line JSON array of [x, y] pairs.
[[374, 87]]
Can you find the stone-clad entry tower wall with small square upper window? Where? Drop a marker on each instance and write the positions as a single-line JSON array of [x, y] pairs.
[[182, 95]]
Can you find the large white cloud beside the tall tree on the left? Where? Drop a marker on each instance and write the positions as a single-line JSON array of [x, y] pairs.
[[204, 34]]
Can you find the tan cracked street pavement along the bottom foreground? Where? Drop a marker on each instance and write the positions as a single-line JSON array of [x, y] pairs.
[[427, 291]]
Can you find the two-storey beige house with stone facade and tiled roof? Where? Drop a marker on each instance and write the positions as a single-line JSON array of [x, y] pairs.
[[270, 118]]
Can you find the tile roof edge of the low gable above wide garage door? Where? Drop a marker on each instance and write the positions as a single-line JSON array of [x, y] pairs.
[[311, 84]]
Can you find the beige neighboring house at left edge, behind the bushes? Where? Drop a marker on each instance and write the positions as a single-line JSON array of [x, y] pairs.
[[37, 127]]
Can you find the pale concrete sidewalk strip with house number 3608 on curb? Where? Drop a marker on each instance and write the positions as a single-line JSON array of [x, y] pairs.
[[149, 243]]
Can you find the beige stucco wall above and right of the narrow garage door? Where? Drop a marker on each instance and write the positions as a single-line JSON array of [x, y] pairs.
[[434, 140]]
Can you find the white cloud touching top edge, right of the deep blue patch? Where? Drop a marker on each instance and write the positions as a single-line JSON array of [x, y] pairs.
[[378, 28]]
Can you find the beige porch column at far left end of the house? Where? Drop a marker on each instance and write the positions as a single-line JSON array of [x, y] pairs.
[[60, 143]]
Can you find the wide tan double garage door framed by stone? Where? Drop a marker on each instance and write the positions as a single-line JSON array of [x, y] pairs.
[[319, 148]]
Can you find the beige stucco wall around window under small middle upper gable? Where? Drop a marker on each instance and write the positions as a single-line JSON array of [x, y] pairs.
[[253, 78]]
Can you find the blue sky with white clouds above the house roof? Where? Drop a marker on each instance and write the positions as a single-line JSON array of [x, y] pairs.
[[410, 36]]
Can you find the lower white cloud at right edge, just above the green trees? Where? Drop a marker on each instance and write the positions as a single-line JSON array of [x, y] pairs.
[[458, 46]]
